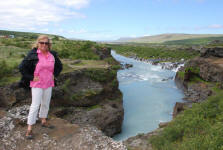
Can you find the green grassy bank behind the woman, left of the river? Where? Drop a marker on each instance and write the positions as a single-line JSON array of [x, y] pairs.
[[12, 51]]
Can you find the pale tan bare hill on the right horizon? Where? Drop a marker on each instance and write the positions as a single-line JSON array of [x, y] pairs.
[[166, 37]]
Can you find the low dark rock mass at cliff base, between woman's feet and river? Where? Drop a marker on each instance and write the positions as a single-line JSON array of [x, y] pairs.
[[107, 116]]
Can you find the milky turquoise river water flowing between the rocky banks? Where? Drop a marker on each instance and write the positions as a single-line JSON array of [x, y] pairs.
[[147, 98]]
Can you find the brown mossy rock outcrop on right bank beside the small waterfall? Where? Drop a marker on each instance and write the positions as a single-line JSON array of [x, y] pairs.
[[206, 68]]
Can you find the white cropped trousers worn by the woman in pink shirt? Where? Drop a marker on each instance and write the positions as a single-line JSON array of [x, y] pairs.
[[40, 97]]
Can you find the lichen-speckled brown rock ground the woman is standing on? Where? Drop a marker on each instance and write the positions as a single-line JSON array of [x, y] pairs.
[[65, 136]]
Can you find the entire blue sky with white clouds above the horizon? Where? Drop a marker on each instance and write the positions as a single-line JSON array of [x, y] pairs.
[[112, 19]]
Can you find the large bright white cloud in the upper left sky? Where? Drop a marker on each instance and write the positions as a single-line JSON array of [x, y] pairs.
[[30, 14]]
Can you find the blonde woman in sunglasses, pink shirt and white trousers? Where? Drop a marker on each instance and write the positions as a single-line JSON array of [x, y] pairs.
[[38, 70]]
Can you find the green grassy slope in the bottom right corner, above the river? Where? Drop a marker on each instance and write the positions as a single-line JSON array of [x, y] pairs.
[[197, 128]]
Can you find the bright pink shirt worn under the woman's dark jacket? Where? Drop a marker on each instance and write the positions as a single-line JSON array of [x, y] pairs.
[[44, 70]]
